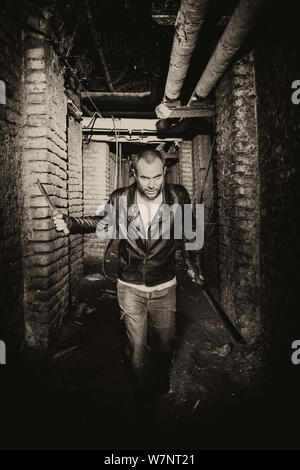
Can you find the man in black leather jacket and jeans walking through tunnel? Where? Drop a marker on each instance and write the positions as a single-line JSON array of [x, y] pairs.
[[146, 280]]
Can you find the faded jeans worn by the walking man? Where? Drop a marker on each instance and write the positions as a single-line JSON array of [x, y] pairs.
[[149, 319]]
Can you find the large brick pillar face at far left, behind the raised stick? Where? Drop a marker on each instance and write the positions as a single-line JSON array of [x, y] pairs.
[[46, 262]]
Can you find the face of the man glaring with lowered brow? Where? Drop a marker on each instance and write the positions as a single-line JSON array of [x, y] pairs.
[[150, 177]]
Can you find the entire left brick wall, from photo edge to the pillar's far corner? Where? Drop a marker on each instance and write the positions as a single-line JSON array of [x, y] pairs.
[[35, 259]]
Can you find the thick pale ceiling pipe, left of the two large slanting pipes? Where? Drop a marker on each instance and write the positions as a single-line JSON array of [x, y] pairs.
[[190, 17]]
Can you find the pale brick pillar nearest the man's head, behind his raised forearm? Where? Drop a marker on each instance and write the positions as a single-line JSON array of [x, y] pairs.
[[96, 163]]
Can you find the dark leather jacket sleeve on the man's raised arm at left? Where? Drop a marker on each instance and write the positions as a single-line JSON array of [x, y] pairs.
[[89, 224]]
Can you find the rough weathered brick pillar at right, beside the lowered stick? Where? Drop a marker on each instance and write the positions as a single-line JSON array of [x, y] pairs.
[[238, 196]]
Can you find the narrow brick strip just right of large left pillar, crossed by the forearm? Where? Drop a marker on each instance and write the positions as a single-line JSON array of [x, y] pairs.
[[75, 199]]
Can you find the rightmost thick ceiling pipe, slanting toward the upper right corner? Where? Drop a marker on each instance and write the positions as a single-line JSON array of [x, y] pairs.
[[241, 23]]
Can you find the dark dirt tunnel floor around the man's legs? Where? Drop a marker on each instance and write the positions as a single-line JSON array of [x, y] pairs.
[[79, 393]]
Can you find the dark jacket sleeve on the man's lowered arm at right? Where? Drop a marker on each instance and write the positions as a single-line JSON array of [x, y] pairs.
[[191, 257]]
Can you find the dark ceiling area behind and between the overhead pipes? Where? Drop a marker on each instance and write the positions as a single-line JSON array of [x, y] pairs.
[[135, 38]]
